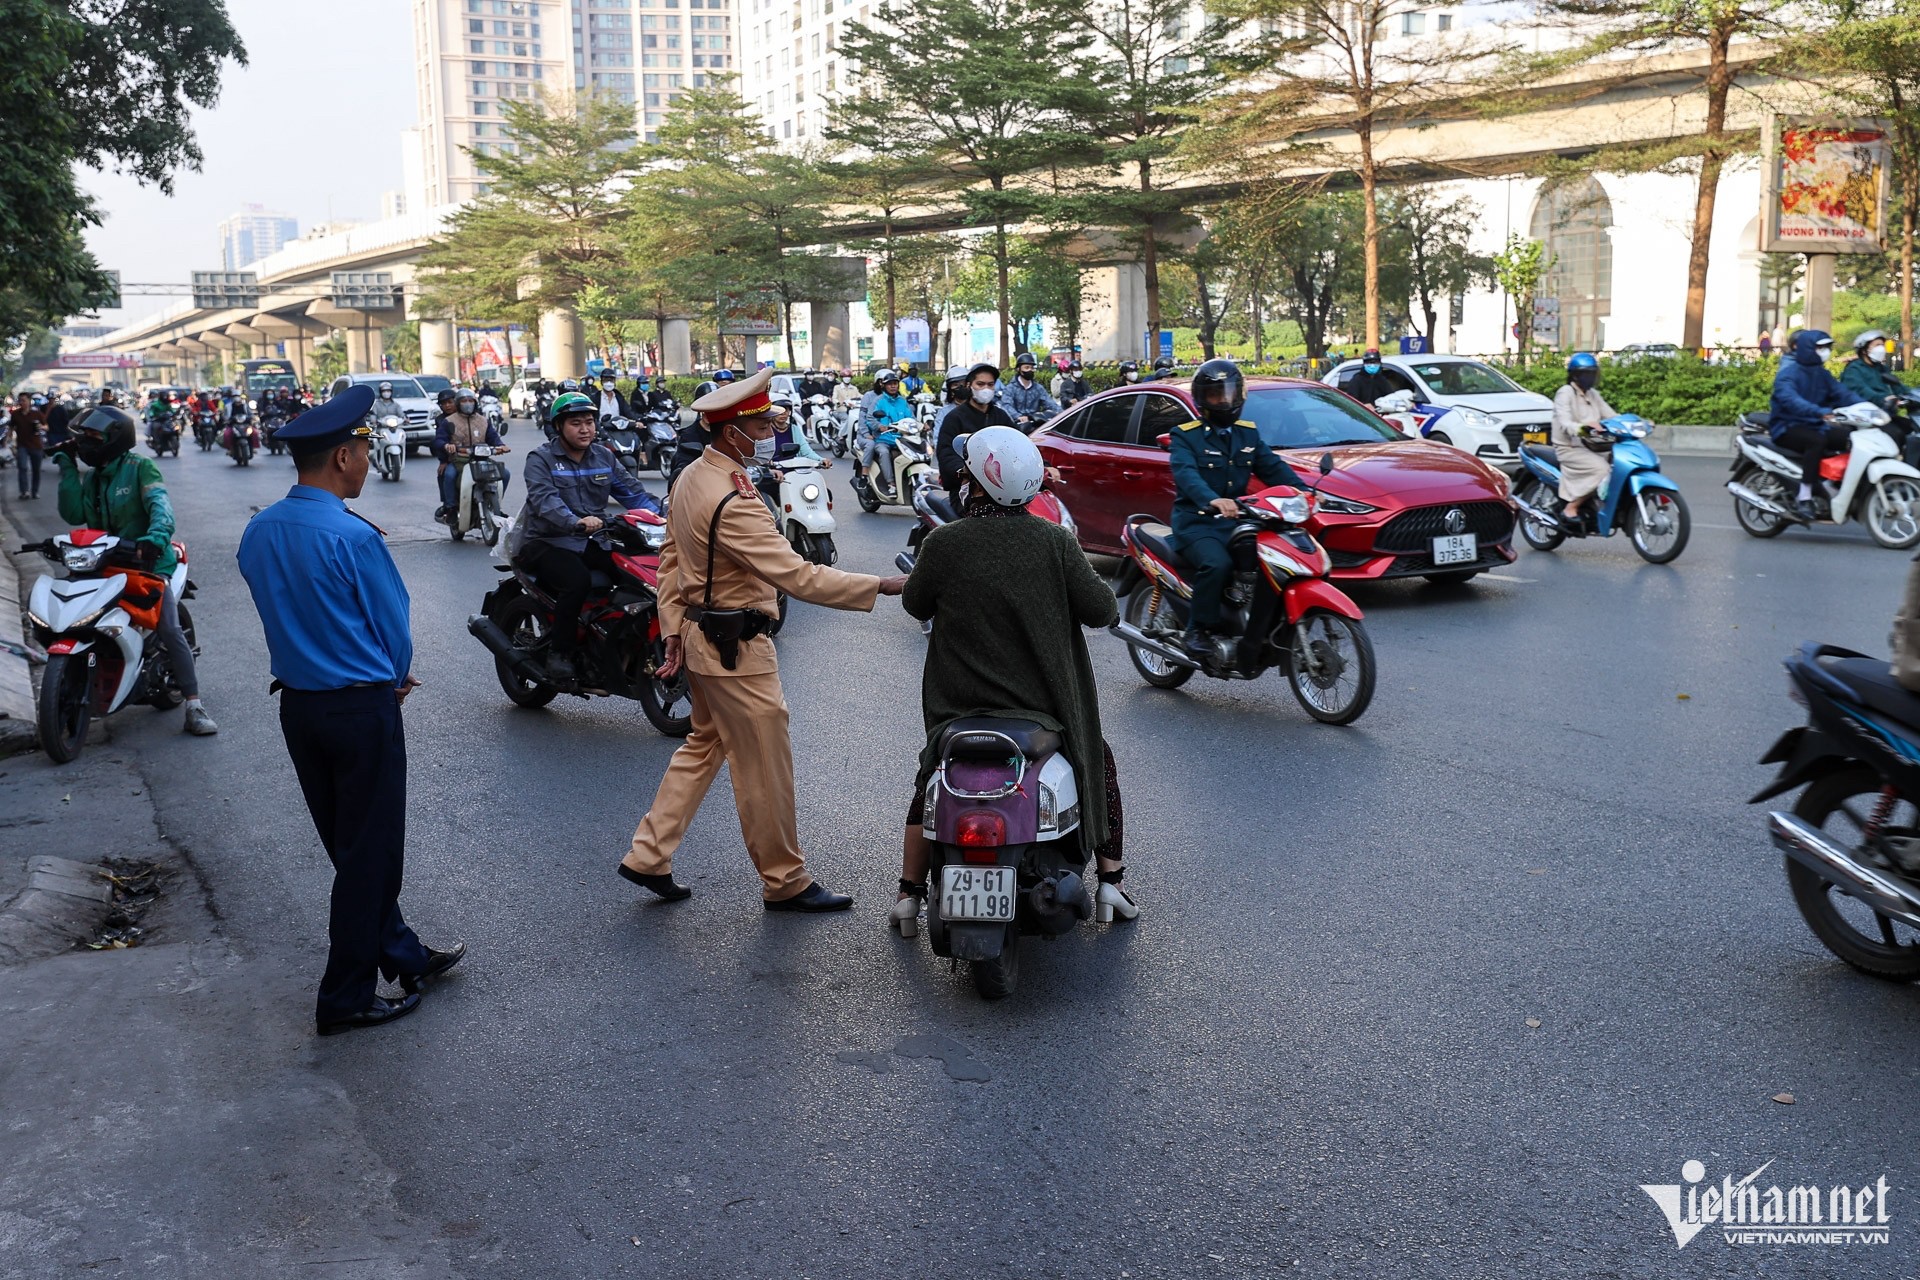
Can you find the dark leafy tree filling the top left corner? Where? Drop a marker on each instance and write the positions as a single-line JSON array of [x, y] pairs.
[[99, 83]]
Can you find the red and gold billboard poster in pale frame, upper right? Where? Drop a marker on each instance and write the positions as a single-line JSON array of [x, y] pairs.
[[1825, 187]]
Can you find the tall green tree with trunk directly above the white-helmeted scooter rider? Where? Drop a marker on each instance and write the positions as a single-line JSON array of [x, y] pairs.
[[974, 91]]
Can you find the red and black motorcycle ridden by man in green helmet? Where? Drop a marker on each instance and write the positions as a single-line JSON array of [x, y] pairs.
[[619, 650]]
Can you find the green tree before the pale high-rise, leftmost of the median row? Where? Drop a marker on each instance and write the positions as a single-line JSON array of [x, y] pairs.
[[548, 227]]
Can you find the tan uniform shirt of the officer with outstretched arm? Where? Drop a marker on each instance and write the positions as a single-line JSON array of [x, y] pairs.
[[754, 563]]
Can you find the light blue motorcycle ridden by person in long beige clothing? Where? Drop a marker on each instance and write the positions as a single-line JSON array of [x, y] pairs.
[[1637, 496]]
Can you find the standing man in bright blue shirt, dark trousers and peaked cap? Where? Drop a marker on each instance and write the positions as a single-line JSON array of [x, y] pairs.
[[339, 640]]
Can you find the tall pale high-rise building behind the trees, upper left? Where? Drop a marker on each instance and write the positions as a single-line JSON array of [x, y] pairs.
[[475, 55]]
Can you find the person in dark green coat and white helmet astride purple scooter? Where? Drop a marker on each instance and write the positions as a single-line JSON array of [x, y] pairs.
[[1013, 594]]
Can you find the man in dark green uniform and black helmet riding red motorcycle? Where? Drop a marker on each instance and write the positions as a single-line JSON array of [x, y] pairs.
[[1212, 462]]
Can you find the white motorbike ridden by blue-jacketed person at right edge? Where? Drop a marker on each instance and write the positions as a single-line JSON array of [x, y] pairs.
[[1875, 486]]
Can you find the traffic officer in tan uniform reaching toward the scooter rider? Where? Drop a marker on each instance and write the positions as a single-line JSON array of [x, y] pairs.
[[721, 569]]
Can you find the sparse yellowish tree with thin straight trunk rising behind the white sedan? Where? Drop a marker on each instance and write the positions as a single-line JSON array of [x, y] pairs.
[[1345, 64]]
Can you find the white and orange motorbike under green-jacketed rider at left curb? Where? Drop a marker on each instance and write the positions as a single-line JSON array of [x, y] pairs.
[[99, 659]]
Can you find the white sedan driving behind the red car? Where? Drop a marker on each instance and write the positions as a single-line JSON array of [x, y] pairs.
[[1458, 402]]
